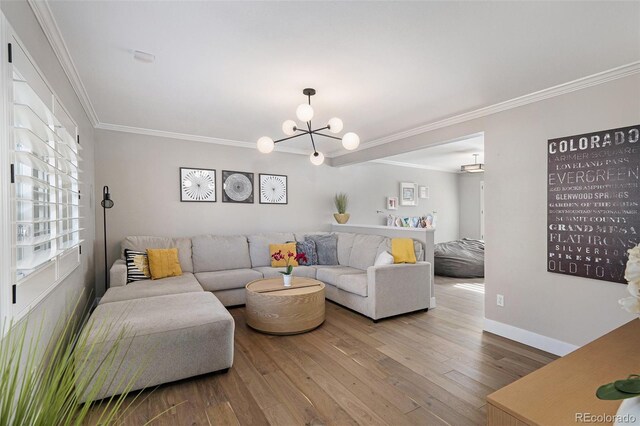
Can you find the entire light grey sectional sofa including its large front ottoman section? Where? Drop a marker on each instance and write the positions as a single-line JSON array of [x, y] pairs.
[[179, 327]]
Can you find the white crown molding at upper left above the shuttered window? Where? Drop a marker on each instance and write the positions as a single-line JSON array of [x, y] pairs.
[[52, 32]]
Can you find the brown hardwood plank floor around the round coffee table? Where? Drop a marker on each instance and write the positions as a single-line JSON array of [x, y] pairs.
[[427, 368]]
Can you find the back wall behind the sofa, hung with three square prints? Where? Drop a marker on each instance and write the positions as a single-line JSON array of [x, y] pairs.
[[142, 173]]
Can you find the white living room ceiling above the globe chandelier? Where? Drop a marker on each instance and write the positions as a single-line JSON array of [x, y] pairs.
[[236, 70]]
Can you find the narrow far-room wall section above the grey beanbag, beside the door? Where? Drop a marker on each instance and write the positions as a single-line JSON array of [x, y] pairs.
[[469, 194]]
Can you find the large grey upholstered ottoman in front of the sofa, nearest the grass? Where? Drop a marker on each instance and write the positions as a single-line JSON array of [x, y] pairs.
[[155, 340]]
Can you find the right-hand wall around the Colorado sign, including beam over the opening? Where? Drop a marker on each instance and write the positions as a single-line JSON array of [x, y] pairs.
[[566, 308]]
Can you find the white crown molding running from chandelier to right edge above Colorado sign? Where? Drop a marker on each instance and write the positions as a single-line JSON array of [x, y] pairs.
[[561, 89]]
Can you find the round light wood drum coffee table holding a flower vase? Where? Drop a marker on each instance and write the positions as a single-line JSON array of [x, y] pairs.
[[276, 309]]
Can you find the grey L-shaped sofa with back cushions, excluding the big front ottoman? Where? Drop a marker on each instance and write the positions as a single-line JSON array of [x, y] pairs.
[[223, 265]]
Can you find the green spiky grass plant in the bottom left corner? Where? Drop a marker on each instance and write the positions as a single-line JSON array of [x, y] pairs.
[[45, 386]]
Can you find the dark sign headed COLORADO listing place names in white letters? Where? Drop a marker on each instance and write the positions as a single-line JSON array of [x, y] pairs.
[[593, 200]]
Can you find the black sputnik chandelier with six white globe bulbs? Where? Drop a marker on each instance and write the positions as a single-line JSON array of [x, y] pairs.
[[304, 112]]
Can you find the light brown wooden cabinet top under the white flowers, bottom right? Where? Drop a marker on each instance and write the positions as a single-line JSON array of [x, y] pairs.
[[562, 391]]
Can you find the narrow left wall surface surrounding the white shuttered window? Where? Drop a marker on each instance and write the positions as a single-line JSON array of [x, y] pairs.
[[81, 282]]
